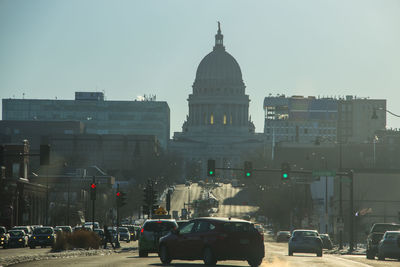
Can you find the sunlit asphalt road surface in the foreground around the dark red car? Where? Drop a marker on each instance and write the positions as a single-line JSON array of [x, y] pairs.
[[276, 255]]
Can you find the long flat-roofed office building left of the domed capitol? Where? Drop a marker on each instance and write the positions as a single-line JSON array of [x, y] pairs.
[[98, 115]]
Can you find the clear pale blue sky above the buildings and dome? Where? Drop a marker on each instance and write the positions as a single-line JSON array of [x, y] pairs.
[[52, 48]]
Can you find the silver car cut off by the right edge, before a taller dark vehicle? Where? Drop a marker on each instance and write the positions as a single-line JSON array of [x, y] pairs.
[[389, 246]]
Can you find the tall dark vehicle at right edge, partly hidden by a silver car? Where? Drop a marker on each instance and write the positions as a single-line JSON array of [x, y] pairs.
[[375, 235]]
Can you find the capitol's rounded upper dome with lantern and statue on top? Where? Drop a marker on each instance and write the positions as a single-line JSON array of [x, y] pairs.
[[218, 69]]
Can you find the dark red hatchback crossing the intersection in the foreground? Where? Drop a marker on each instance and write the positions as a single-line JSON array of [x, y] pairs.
[[213, 239]]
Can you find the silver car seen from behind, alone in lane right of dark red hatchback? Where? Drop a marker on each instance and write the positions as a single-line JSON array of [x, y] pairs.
[[305, 241]]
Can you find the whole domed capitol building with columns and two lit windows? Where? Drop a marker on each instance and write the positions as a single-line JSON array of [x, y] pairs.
[[218, 125]]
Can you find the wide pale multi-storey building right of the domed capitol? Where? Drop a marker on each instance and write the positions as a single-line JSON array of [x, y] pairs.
[[311, 120]]
